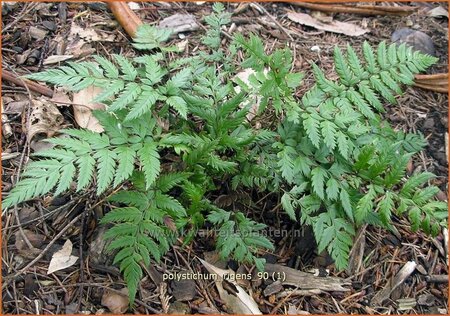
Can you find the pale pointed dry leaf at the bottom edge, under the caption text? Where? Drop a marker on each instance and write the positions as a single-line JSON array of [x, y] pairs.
[[235, 298]]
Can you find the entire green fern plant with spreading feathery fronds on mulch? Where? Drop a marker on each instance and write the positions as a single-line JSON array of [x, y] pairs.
[[335, 162]]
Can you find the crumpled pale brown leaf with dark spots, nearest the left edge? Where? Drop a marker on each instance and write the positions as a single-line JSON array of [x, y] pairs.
[[45, 118]]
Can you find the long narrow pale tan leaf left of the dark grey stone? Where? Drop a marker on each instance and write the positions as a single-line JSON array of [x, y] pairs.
[[334, 26]]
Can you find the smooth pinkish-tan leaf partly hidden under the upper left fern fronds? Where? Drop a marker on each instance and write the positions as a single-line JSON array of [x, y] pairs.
[[82, 108]]
